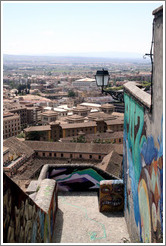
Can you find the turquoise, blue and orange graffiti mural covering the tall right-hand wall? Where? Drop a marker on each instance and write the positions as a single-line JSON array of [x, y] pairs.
[[143, 175]]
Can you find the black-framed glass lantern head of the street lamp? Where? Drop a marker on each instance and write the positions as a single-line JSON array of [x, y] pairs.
[[102, 77]]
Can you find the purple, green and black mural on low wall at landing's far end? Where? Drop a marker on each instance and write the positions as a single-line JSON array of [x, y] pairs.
[[76, 179]]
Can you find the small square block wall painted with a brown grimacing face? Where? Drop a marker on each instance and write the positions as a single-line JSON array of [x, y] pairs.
[[111, 196]]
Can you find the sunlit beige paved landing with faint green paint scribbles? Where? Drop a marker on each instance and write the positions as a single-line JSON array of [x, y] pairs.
[[79, 221]]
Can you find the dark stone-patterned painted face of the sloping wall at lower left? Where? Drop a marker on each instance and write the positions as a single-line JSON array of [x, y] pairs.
[[23, 220]]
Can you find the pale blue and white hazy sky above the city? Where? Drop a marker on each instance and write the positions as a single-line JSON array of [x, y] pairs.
[[45, 28]]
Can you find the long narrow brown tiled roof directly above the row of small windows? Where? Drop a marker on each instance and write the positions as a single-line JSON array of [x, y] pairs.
[[72, 147]]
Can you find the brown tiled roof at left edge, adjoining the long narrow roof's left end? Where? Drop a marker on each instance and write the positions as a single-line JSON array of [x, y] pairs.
[[18, 147]]
